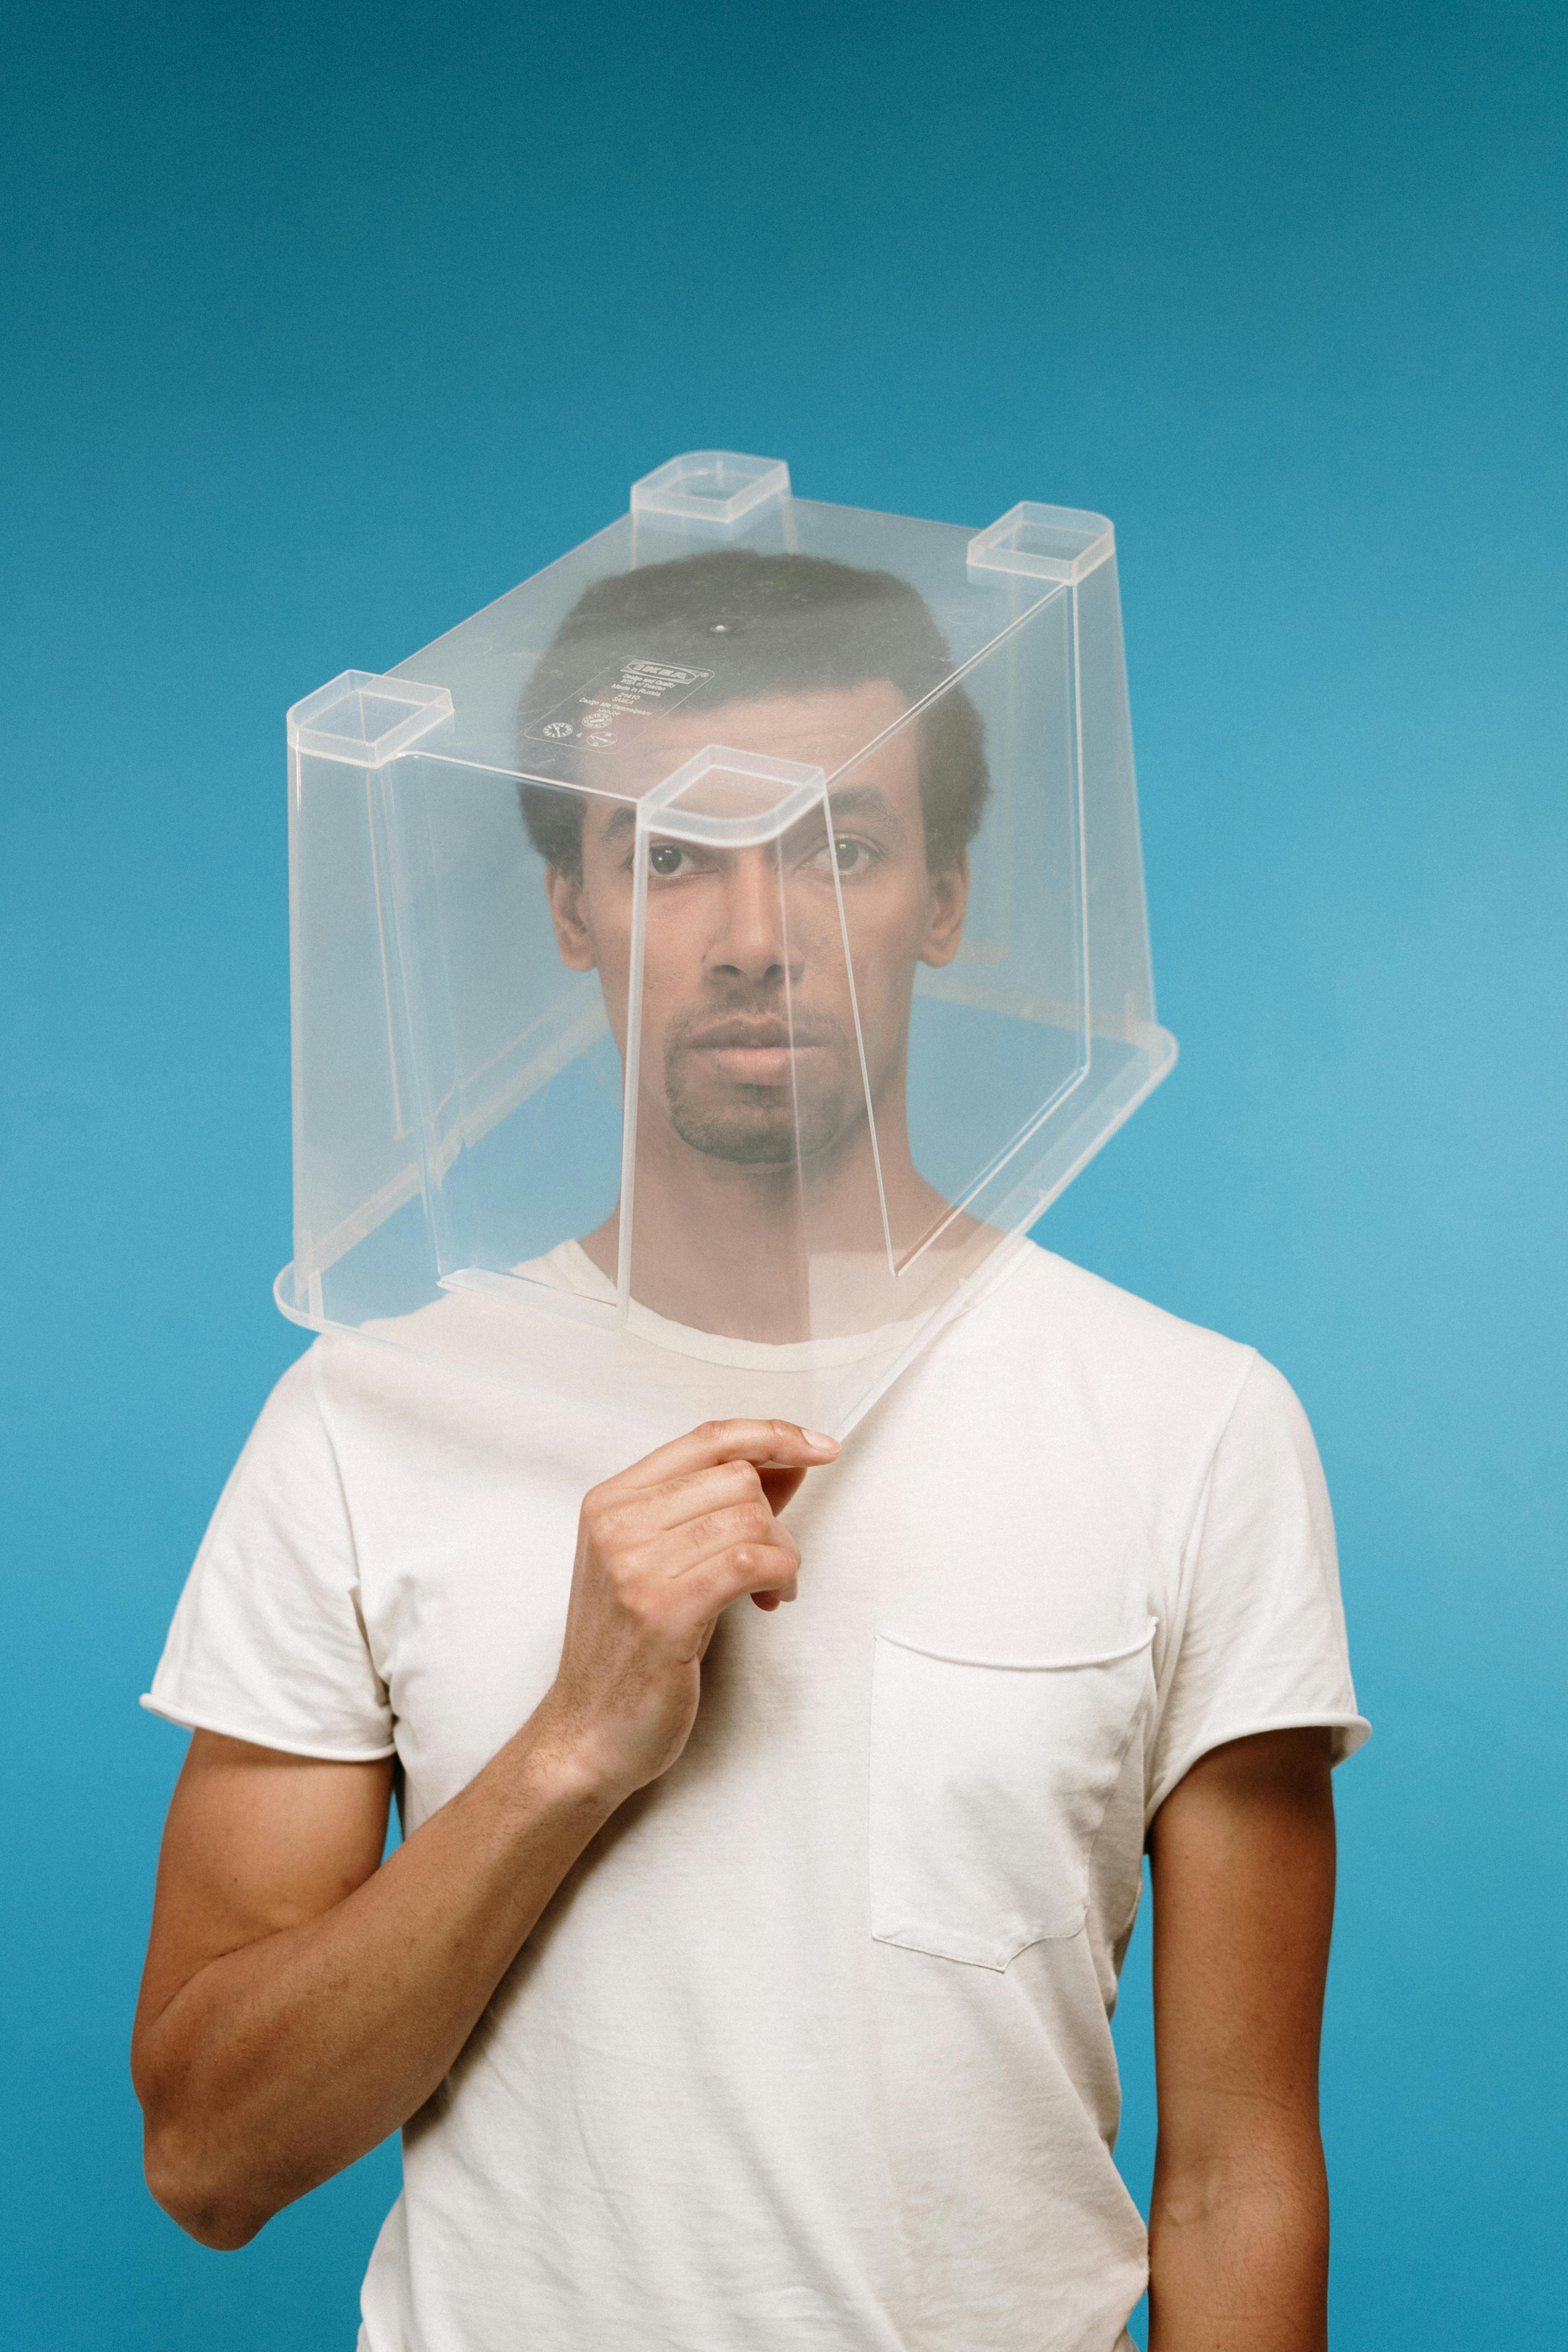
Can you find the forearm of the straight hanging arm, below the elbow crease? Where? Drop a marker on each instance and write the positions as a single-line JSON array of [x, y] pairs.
[[1240, 2261]]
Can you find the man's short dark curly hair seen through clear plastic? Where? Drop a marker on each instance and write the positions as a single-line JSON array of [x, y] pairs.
[[777, 624]]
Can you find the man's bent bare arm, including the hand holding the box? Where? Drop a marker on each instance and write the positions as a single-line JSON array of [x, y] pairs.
[[302, 1998]]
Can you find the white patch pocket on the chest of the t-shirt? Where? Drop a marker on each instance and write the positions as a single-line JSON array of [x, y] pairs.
[[989, 1786]]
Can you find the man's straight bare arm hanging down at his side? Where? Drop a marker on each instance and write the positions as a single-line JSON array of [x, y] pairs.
[[1242, 1864]]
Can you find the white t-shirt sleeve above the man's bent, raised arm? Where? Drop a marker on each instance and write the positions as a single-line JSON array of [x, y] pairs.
[[269, 1636]]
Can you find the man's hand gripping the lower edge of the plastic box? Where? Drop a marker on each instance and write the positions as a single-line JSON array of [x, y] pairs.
[[664, 1549]]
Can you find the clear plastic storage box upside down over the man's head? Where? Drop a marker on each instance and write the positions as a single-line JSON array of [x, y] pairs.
[[711, 956]]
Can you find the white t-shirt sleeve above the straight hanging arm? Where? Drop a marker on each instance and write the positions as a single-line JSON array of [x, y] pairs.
[[1261, 1631]]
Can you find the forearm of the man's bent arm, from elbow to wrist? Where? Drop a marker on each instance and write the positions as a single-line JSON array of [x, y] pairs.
[[283, 2062]]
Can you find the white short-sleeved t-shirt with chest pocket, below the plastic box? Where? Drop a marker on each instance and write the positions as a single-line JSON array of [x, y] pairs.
[[812, 2050]]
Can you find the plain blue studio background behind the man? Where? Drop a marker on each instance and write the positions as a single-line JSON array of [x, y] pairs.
[[323, 326]]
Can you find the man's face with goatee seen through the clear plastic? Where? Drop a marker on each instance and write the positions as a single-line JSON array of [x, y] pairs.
[[749, 1027]]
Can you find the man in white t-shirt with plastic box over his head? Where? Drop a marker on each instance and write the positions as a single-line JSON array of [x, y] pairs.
[[744, 1977]]
